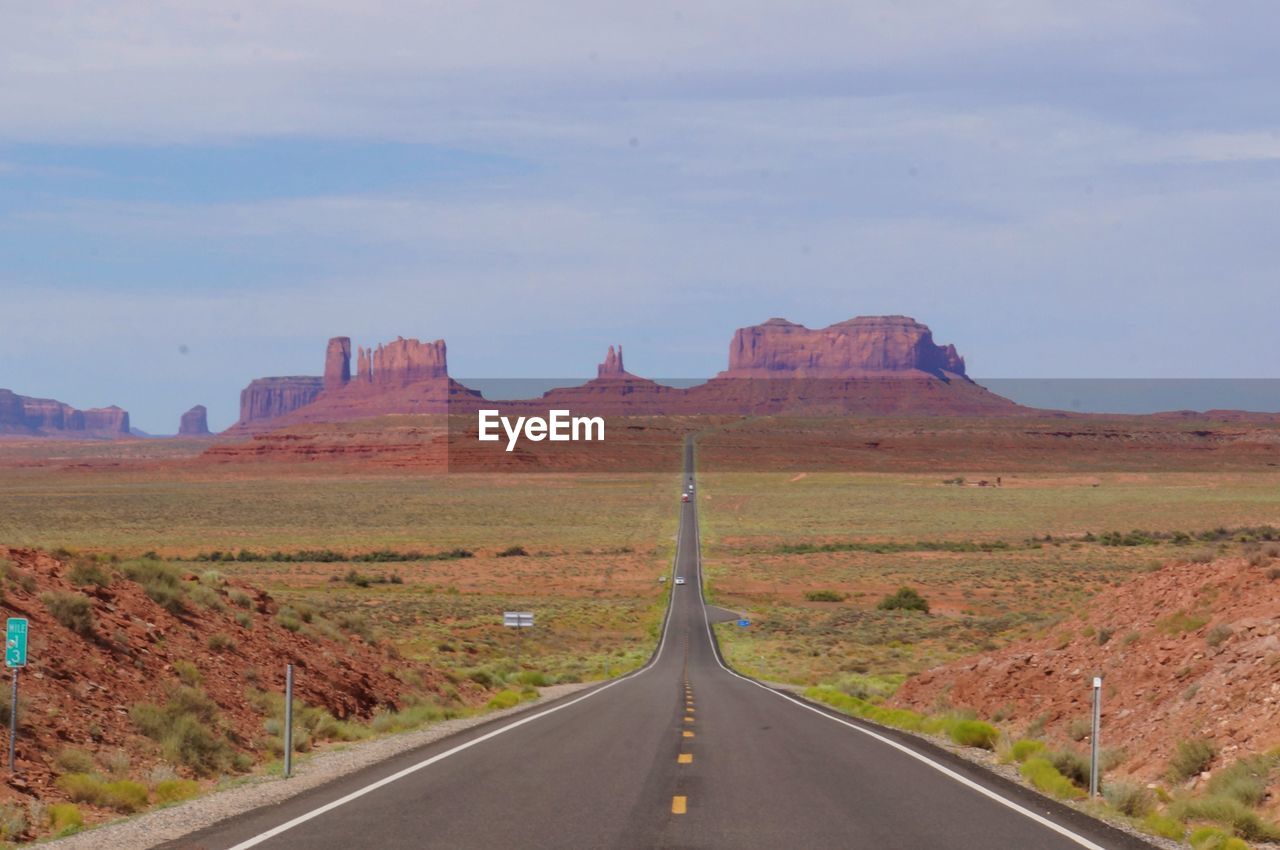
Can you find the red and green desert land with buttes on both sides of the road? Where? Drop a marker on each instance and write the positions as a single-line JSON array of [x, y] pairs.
[[908, 549]]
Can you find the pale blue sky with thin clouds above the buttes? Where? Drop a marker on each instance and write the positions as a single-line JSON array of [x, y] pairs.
[[196, 195]]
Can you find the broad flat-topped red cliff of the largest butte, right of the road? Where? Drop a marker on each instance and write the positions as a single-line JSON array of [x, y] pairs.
[[862, 346]]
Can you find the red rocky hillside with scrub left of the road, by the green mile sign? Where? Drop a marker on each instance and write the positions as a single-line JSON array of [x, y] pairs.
[[143, 670]]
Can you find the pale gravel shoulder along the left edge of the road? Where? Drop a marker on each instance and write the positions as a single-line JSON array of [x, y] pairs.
[[166, 825]]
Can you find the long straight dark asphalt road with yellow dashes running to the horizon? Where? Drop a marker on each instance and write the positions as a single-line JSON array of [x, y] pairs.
[[680, 755]]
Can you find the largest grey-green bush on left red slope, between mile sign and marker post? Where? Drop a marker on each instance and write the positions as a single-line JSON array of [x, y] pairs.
[[188, 732]]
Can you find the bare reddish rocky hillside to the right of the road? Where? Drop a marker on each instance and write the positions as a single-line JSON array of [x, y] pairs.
[[1187, 654]]
